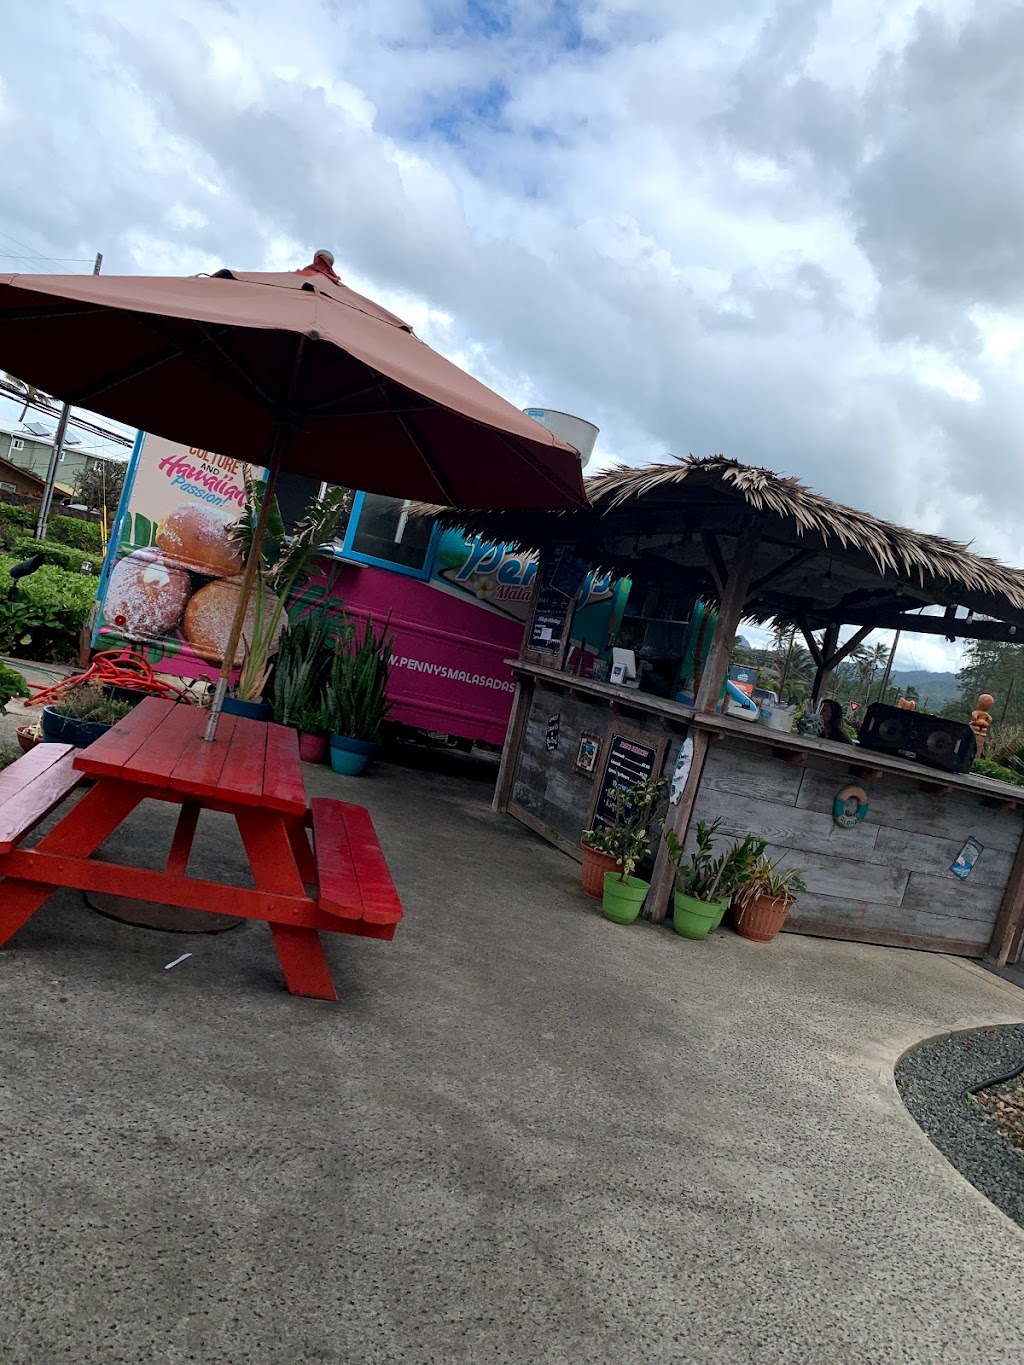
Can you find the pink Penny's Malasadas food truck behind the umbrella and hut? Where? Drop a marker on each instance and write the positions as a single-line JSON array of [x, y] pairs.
[[457, 607]]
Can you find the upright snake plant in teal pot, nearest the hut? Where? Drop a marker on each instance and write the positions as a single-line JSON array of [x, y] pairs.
[[357, 700]]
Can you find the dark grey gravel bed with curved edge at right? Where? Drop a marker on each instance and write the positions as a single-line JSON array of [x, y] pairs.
[[932, 1080]]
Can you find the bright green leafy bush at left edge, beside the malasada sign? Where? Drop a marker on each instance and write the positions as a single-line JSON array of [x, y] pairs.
[[44, 622]]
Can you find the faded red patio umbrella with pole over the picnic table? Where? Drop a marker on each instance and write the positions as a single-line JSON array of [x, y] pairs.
[[296, 372]]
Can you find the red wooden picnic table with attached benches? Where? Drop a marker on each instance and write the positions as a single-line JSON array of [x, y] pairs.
[[253, 772]]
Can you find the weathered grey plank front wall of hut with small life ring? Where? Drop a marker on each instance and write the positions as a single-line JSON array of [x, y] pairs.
[[884, 881]]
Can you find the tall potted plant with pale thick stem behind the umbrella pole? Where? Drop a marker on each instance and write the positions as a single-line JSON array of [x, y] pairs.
[[285, 562]]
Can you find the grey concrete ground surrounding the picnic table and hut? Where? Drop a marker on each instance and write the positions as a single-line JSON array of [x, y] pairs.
[[525, 1135]]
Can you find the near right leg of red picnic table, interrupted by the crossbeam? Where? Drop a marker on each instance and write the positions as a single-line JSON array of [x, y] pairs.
[[275, 869]]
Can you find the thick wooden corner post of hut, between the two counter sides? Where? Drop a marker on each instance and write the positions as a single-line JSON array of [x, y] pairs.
[[708, 697]]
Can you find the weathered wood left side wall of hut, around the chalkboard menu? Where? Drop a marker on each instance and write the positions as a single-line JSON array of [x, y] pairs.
[[548, 794]]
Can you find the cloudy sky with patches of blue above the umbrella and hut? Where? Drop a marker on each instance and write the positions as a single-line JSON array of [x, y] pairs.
[[787, 230]]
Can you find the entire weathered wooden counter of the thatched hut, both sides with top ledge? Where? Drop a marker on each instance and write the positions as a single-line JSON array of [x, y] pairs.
[[887, 880]]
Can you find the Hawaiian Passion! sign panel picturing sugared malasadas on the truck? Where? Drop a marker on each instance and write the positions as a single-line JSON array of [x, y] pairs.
[[170, 582]]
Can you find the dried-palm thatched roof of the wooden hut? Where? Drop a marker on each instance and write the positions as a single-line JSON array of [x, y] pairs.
[[819, 562]]
